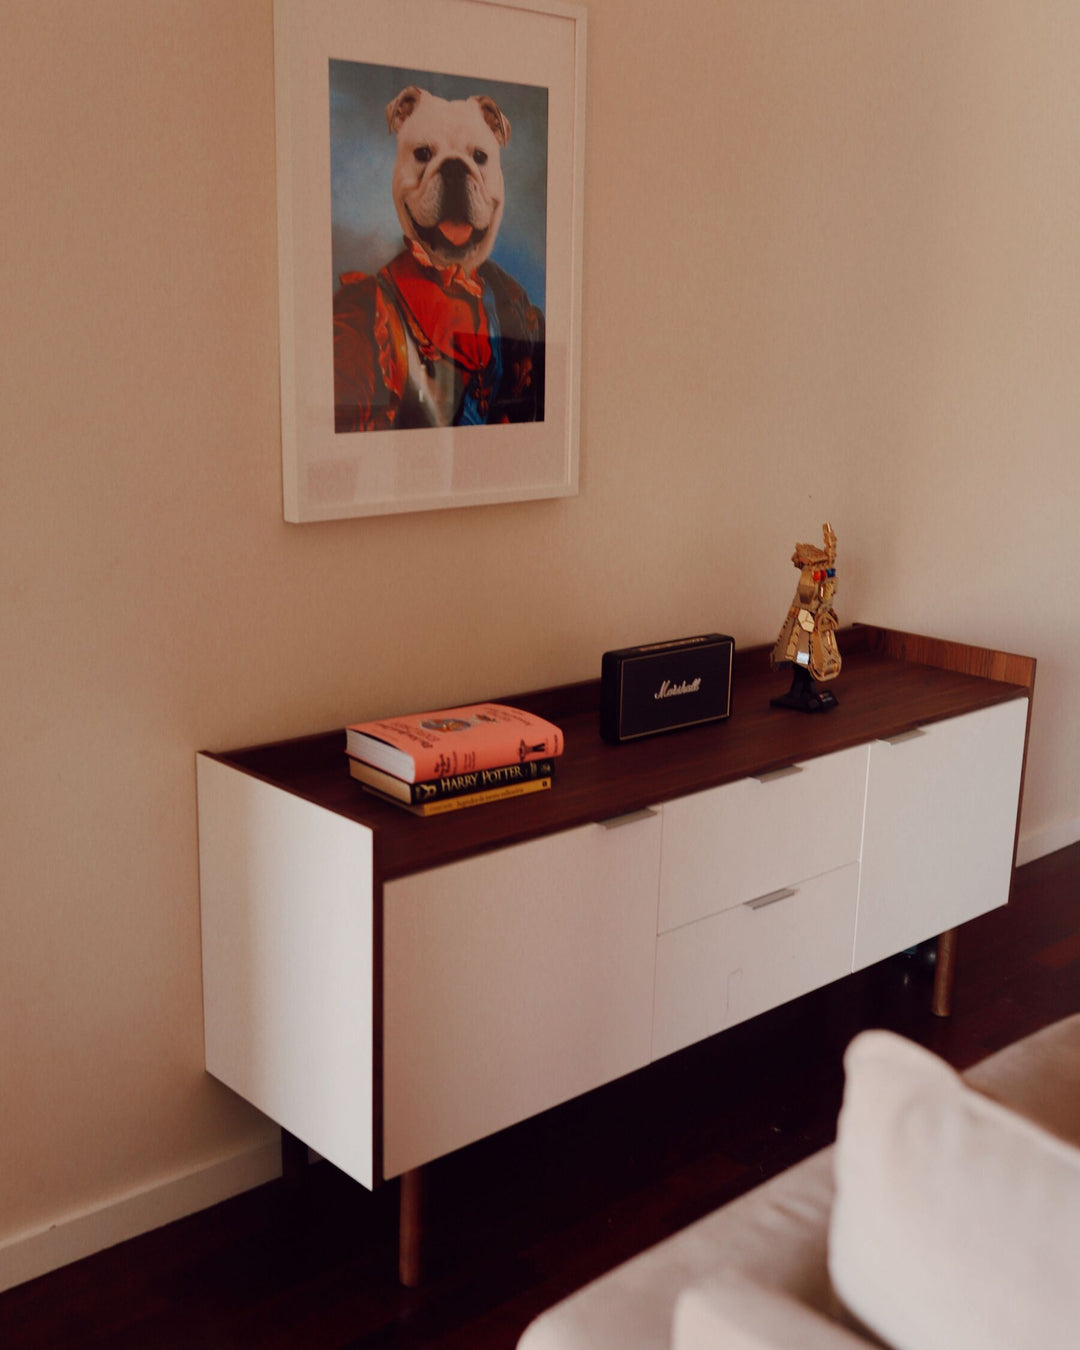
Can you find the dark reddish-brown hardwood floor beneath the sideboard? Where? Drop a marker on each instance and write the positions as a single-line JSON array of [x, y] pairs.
[[522, 1220]]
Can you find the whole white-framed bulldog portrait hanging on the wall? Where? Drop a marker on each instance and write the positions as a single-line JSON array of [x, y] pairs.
[[430, 229]]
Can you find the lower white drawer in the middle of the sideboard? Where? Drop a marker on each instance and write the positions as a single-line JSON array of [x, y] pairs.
[[734, 966]]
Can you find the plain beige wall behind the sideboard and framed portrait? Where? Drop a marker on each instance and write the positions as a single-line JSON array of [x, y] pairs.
[[831, 272]]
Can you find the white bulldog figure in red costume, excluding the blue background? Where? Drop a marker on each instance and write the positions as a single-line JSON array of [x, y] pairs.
[[441, 335]]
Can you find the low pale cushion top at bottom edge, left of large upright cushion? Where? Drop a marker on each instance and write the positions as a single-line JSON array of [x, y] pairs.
[[740, 1314]]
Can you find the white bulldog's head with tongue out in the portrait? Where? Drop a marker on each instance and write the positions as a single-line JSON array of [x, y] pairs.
[[448, 180]]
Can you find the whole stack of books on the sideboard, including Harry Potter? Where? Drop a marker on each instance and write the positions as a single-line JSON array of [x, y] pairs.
[[431, 763]]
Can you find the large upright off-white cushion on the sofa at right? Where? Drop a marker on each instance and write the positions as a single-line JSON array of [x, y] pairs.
[[956, 1222]]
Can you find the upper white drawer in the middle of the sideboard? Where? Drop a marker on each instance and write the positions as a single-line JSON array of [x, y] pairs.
[[734, 843]]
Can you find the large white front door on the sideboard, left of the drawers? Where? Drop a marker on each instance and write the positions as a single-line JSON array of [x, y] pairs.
[[515, 981]]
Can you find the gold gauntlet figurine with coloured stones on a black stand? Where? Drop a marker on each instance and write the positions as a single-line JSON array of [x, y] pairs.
[[808, 639]]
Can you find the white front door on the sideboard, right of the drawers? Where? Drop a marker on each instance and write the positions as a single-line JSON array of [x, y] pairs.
[[942, 817]]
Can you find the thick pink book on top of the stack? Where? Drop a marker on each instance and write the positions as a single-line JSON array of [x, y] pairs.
[[454, 740]]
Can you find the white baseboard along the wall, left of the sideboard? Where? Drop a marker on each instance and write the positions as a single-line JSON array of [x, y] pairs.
[[34, 1253]]
